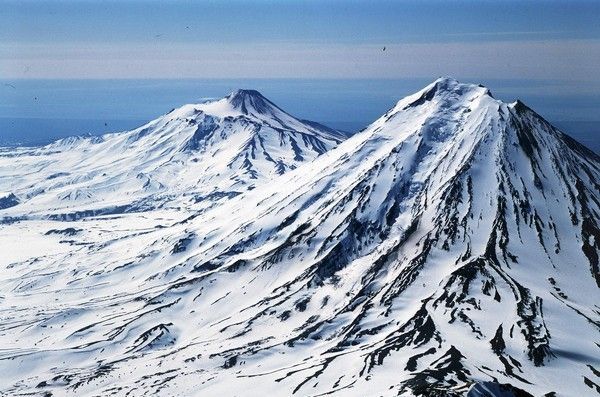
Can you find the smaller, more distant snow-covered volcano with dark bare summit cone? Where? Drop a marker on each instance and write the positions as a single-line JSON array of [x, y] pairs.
[[198, 153]]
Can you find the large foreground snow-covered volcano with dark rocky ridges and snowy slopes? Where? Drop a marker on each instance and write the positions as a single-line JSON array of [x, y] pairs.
[[449, 249]]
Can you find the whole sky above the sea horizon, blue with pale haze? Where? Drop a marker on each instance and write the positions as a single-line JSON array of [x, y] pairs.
[[557, 40]]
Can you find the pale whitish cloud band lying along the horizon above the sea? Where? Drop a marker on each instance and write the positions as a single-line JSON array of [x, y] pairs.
[[543, 59]]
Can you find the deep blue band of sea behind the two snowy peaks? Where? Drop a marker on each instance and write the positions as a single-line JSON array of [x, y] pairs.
[[37, 112]]
